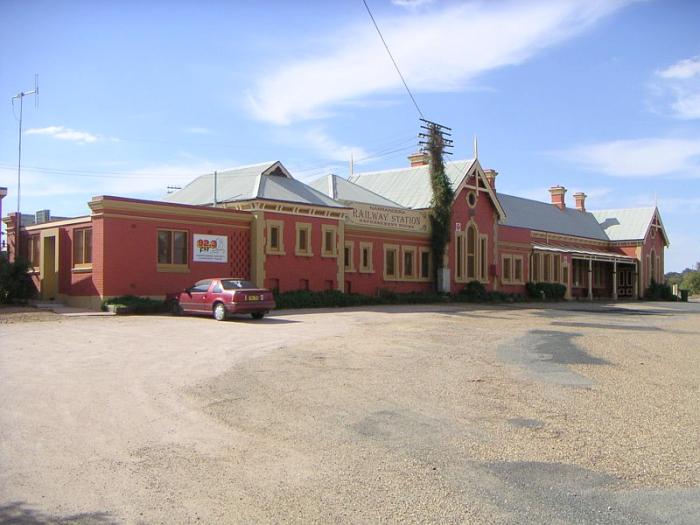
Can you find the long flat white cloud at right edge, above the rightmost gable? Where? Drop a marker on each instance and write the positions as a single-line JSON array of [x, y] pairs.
[[639, 157]]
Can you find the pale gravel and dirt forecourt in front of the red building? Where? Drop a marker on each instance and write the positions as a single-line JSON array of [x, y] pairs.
[[568, 413]]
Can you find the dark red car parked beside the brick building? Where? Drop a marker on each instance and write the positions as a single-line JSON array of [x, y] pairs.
[[224, 296]]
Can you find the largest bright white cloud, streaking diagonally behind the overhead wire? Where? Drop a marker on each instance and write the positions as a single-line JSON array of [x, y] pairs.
[[440, 49]]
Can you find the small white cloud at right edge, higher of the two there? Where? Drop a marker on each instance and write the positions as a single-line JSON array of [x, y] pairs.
[[678, 88]]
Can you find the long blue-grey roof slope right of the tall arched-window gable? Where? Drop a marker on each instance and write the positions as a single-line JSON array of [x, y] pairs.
[[542, 216]]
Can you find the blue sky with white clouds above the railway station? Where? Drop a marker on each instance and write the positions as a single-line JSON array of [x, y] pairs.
[[598, 96]]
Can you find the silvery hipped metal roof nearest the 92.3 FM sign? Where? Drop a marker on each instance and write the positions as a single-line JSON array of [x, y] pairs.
[[268, 180]]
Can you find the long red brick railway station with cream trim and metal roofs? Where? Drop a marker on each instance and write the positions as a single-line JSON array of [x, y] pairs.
[[363, 234]]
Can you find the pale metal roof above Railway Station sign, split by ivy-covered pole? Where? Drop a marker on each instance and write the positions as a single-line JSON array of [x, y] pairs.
[[410, 187]]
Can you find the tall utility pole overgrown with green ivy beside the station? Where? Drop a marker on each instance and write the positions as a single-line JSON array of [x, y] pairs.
[[441, 203]]
